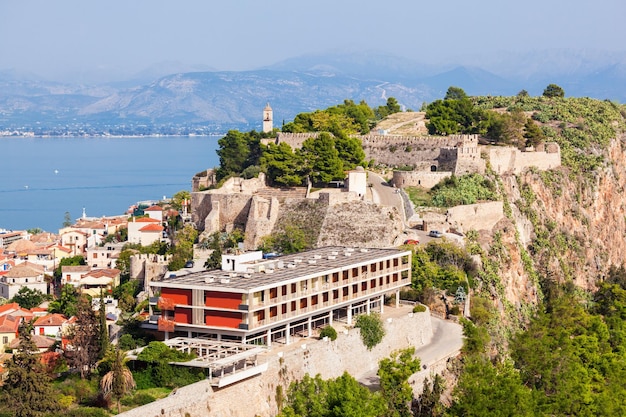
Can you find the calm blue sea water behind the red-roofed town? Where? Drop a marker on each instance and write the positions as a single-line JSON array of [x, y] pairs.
[[42, 178]]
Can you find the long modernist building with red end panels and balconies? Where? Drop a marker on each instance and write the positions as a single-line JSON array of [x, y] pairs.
[[256, 300]]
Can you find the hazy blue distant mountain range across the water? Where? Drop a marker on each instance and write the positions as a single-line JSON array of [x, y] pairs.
[[214, 101]]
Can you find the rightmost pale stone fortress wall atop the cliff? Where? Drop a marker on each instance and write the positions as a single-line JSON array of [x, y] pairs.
[[512, 160]]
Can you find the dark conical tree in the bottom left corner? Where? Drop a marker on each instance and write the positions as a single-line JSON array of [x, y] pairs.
[[27, 388]]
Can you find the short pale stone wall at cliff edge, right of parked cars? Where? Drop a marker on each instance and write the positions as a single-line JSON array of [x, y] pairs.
[[481, 216]]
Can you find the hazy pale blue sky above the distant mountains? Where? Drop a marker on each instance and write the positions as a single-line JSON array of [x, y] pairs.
[[53, 38]]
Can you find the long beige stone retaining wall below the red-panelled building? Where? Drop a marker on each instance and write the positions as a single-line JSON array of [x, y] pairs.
[[257, 396]]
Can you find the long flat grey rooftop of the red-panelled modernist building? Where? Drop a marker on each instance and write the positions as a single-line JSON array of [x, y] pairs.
[[268, 272]]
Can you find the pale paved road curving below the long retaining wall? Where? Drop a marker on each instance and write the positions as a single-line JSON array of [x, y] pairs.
[[447, 339]]
